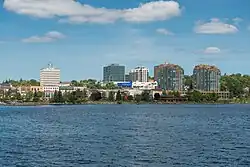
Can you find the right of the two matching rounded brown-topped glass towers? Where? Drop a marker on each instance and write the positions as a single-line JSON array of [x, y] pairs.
[[206, 78]]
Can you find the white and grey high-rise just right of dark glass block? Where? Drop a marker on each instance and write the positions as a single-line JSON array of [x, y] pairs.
[[139, 74]]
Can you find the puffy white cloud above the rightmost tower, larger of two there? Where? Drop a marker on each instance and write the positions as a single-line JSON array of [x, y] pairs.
[[215, 26]]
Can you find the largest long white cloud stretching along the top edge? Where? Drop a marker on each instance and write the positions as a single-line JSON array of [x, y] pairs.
[[74, 12]]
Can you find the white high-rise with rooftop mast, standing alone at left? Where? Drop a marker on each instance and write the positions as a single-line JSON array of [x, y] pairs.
[[49, 76]]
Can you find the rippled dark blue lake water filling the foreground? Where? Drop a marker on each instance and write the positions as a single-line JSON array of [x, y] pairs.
[[125, 135]]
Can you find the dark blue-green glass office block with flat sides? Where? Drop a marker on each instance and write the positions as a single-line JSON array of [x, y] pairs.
[[114, 73]]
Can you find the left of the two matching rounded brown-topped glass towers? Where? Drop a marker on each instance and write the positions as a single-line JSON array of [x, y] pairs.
[[169, 77]]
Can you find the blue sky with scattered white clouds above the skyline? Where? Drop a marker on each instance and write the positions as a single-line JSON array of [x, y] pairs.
[[80, 37]]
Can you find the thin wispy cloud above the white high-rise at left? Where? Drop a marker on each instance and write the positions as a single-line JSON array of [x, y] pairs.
[[48, 37]]
